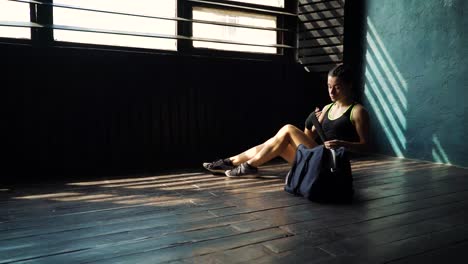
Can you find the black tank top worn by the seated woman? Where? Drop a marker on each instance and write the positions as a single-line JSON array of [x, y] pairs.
[[340, 128]]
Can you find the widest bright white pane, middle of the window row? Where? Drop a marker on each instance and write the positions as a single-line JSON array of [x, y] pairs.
[[103, 21]]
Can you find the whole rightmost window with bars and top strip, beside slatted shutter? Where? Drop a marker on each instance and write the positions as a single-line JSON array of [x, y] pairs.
[[260, 26]]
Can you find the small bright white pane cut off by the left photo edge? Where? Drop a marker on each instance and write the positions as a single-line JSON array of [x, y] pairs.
[[14, 12]]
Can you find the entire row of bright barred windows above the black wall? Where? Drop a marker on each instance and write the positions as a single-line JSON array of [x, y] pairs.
[[195, 27]]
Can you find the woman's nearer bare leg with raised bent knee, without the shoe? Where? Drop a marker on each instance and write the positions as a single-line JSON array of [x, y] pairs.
[[288, 135]]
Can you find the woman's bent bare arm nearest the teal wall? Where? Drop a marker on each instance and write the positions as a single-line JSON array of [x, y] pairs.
[[361, 123]]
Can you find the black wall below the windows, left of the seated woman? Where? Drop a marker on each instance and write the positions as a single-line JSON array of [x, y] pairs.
[[84, 112]]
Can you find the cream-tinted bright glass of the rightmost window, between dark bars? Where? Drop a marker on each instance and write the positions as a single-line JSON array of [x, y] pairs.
[[235, 34]]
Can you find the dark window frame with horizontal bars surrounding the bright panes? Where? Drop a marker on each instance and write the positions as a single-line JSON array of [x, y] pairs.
[[41, 12]]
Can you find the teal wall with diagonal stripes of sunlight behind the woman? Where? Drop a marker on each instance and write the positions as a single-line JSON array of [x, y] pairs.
[[416, 84]]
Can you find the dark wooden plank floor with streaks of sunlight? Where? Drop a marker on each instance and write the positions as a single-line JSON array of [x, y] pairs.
[[405, 211]]
